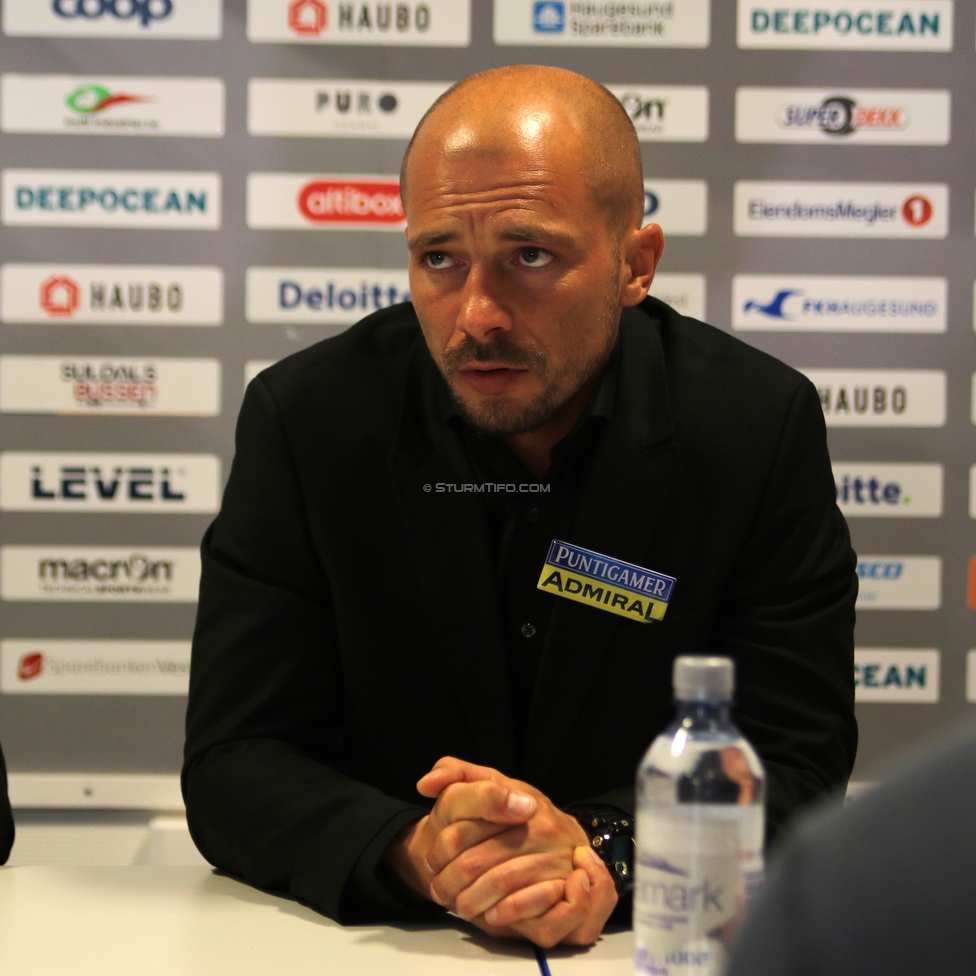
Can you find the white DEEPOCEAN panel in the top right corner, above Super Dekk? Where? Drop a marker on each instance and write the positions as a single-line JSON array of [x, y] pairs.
[[868, 25]]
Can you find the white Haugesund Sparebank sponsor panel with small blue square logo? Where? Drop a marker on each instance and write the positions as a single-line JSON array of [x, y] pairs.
[[676, 23]]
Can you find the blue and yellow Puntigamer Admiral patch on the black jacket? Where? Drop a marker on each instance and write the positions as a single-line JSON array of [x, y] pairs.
[[605, 583]]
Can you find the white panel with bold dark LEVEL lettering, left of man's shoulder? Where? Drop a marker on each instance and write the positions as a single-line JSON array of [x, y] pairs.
[[153, 484]]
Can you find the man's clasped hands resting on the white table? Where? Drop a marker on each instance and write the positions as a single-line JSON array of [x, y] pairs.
[[498, 853]]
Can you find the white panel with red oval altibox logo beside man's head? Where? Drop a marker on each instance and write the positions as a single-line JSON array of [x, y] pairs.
[[308, 202]]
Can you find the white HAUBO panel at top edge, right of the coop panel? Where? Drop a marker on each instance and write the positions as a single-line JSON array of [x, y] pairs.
[[434, 23]]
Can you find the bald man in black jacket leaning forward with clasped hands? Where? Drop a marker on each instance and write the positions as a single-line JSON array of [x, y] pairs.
[[462, 543]]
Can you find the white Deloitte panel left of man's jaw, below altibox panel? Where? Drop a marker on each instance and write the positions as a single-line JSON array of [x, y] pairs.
[[323, 296]]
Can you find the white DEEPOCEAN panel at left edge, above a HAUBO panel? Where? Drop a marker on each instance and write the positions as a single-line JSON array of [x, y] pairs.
[[110, 198]]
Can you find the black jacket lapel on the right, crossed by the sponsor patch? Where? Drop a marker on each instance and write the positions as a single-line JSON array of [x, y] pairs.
[[623, 498]]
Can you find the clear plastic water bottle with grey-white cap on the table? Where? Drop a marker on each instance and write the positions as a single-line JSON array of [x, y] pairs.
[[700, 823]]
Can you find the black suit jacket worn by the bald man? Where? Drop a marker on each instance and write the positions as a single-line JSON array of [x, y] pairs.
[[349, 632]]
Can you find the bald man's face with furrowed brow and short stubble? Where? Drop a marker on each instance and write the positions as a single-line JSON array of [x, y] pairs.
[[514, 277]]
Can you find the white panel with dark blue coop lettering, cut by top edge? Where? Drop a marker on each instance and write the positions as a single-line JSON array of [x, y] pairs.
[[166, 19]]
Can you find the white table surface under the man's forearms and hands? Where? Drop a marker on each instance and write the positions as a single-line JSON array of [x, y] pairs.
[[162, 921]]
